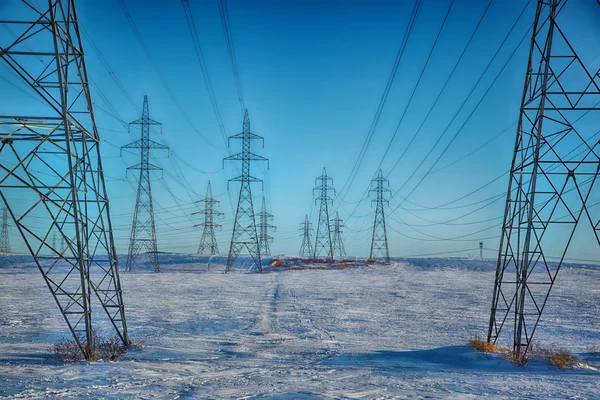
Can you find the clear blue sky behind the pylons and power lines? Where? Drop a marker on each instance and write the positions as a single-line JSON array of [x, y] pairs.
[[312, 74]]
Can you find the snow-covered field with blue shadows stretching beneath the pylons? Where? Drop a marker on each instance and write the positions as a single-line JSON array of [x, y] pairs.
[[365, 333]]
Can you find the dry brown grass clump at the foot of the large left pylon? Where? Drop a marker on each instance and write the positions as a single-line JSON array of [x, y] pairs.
[[102, 348]]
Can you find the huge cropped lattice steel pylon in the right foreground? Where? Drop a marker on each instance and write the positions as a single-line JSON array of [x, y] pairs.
[[554, 168]]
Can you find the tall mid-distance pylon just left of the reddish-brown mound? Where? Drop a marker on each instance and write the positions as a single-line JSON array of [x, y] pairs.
[[244, 227]]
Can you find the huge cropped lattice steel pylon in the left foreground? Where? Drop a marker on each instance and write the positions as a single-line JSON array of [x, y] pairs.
[[51, 164]]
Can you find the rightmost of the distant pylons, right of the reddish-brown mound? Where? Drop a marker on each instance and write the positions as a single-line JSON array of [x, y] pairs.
[[379, 243]]
